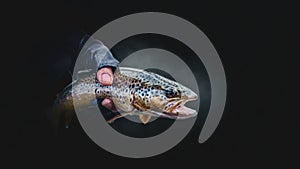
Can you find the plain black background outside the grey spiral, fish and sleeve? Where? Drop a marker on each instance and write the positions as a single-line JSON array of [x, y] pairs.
[[255, 41]]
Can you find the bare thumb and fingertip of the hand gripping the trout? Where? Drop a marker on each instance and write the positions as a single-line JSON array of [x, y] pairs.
[[105, 77]]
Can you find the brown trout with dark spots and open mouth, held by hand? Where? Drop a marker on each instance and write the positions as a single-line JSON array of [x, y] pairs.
[[133, 92]]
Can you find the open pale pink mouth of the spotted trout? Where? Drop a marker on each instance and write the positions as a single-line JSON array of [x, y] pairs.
[[178, 110]]
